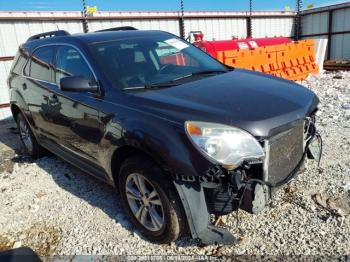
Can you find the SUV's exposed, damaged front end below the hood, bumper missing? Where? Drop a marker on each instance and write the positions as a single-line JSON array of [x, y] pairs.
[[250, 186]]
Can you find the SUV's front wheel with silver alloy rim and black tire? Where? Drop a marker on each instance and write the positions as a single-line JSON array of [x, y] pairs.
[[150, 201]]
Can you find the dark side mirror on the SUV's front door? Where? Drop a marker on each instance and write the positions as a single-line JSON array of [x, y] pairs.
[[78, 84]]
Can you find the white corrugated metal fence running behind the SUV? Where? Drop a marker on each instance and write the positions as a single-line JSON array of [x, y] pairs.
[[17, 27]]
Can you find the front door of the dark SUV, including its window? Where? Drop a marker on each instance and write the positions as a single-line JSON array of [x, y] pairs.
[[74, 115]]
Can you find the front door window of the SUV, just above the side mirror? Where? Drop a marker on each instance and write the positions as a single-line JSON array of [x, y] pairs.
[[69, 62]]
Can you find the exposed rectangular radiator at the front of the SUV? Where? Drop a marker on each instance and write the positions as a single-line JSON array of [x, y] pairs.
[[285, 152]]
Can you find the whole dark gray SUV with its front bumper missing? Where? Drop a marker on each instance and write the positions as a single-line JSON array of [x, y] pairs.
[[181, 136]]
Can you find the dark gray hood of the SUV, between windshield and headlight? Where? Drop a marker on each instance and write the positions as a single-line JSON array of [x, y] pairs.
[[260, 104]]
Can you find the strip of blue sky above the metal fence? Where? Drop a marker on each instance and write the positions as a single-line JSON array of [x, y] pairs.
[[156, 5]]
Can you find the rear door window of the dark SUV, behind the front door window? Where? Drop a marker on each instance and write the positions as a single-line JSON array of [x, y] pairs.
[[40, 64]]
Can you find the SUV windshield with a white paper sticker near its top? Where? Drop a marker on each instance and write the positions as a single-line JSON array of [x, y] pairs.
[[153, 60]]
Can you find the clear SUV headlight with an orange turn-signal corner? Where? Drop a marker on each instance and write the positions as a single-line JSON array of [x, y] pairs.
[[227, 145]]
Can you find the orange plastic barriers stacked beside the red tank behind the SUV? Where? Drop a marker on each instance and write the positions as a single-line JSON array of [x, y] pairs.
[[293, 61]]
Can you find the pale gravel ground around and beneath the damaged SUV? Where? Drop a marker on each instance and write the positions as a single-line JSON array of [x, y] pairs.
[[54, 208]]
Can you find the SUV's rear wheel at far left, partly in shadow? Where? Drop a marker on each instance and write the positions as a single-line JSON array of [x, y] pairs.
[[30, 144]]
